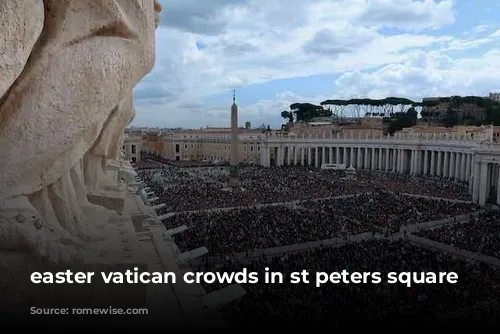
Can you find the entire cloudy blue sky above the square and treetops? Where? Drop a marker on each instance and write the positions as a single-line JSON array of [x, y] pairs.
[[277, 52]]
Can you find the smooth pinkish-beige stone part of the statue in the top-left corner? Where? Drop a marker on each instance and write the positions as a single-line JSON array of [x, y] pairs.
[[21, 23]]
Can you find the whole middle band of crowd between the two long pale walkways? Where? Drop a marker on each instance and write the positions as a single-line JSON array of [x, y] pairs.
[[249, 229]]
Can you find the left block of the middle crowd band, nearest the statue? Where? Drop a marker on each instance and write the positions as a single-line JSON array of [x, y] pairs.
[[247, 230]]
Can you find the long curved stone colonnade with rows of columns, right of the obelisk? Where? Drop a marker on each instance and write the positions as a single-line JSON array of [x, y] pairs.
[[474, 162]]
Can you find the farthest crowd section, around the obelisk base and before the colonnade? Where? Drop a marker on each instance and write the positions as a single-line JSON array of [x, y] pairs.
[[184, 189]]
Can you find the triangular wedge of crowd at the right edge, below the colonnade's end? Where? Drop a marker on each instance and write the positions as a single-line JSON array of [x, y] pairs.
[[480, 235]]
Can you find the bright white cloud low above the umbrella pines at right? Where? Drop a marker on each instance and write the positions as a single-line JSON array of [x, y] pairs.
[[425, 74]]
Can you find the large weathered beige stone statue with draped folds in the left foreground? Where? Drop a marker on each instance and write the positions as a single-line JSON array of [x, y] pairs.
[[67, 71]]
